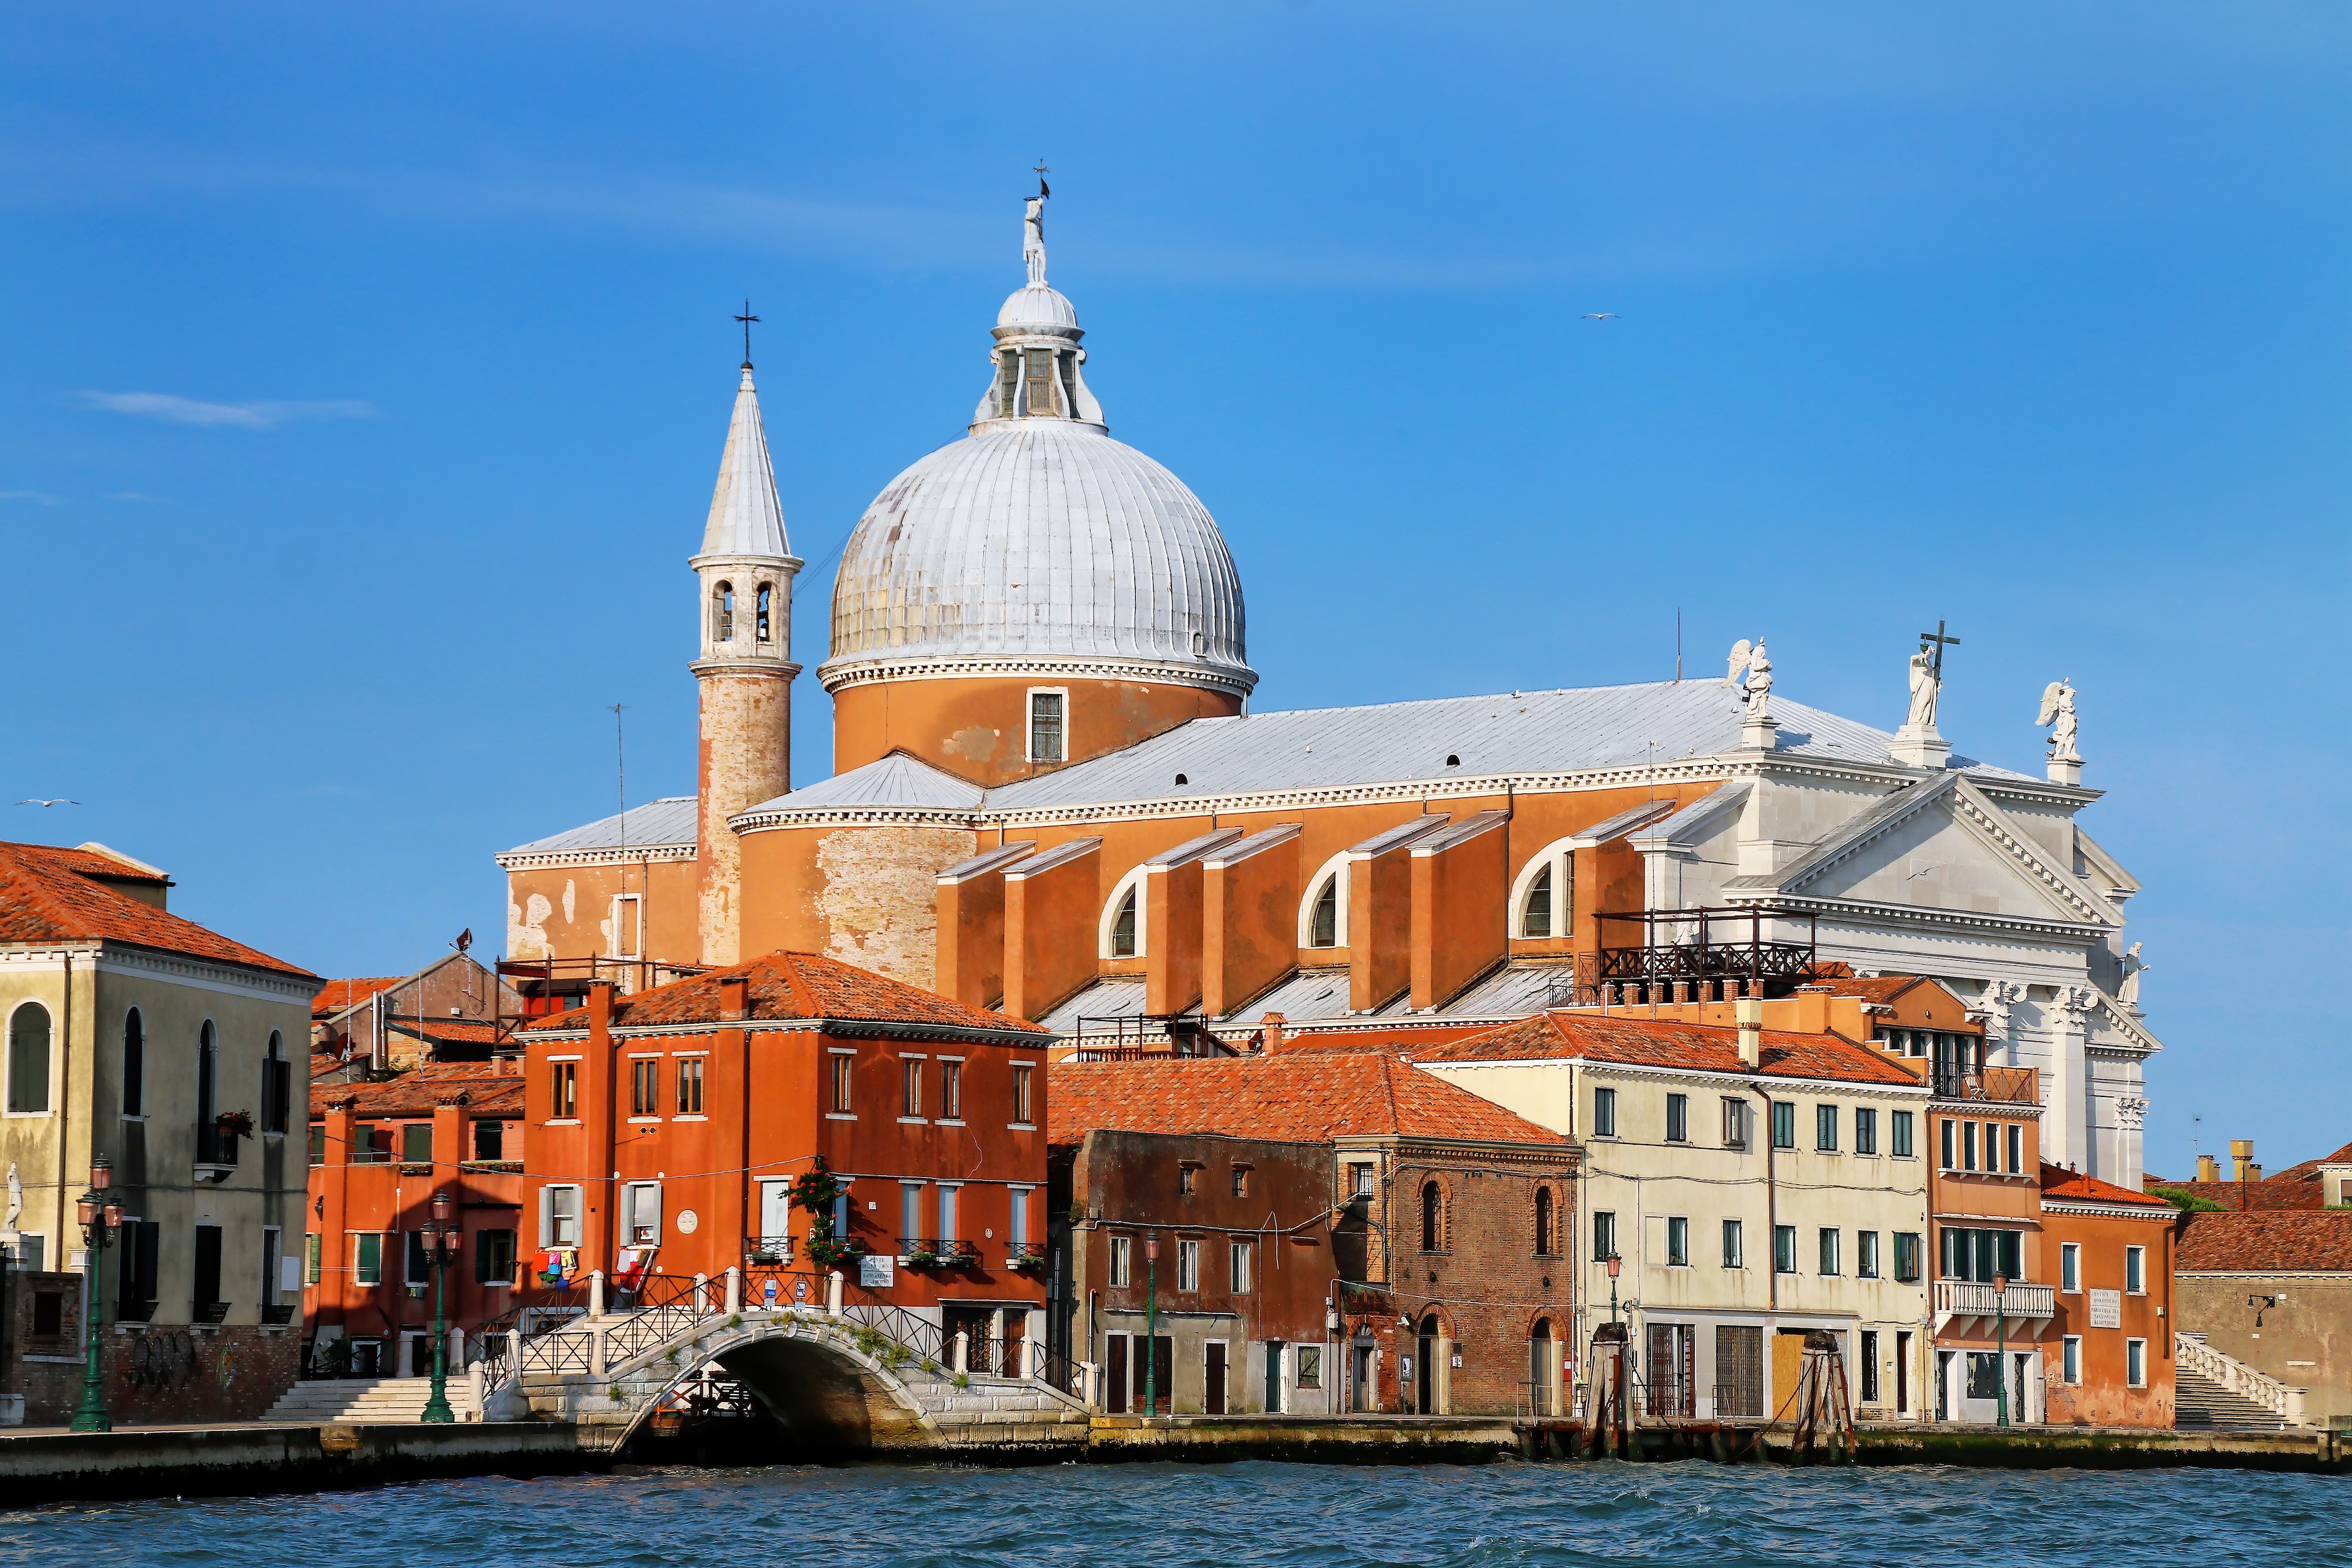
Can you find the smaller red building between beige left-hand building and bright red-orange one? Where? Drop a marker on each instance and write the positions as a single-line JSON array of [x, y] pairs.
[[377, 1158]]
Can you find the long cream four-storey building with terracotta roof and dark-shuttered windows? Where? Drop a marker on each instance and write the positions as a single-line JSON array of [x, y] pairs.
[[1751, 1184]]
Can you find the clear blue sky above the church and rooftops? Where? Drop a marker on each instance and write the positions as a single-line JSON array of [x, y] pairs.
[[366, 377]]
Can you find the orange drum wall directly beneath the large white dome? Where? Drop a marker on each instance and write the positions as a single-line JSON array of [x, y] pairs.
[[977, 728]]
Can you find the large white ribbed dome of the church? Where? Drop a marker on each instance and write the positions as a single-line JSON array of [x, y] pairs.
[[1041, 542]]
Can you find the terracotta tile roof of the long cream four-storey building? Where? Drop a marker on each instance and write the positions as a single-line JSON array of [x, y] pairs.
[[1662, 1043]]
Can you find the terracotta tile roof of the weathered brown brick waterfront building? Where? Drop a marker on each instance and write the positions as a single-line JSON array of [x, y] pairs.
[[1297, 1099]]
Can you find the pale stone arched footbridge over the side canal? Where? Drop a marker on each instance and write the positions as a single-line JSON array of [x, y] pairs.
[[838, 1379]]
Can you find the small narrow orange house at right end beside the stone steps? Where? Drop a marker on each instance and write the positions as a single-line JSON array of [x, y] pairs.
[[2109, 1355]]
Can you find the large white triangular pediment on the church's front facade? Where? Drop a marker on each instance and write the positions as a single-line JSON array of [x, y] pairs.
[[1939, 845]]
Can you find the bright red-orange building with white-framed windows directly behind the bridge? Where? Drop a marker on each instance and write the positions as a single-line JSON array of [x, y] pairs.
[[669, 1130]]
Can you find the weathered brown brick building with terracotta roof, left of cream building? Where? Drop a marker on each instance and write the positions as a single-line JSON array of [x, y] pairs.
[[1379, 1238]]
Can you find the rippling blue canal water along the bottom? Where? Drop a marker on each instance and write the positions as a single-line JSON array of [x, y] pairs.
[[1227, 1515]]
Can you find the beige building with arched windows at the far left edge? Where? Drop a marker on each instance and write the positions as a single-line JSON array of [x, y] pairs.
[[180, 1057]]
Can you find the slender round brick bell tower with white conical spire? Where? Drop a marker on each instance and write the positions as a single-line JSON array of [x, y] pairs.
[[744, 575]]
